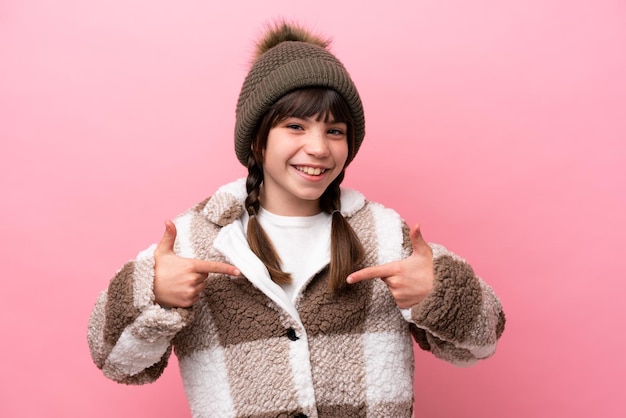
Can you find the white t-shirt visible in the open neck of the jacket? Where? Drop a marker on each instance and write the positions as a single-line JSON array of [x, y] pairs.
[[302, 243]]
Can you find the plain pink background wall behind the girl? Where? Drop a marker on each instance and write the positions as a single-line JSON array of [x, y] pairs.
[[500, 126]]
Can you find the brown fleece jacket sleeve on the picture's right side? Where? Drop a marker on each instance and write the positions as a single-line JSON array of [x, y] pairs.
[[462, 319]]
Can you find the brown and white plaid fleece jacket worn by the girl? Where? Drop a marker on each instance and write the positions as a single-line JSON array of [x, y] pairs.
[[244, 350]]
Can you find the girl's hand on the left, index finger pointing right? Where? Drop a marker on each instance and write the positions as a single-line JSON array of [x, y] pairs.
[[178, 281]]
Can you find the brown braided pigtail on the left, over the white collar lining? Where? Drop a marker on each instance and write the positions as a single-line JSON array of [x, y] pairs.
[[258, 240]]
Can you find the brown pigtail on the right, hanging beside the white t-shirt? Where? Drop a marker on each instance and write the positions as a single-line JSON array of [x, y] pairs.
[[346, 250]]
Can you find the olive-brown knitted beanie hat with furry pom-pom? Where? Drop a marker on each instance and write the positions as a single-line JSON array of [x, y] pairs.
[[289, 58]]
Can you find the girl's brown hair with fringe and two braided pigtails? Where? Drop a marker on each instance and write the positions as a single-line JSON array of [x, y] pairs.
[[346, 251]]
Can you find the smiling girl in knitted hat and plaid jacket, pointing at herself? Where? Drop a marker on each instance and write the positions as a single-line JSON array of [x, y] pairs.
[[283, 294]]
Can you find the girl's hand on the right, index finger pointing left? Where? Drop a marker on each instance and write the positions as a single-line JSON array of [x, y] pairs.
[[409, 280]]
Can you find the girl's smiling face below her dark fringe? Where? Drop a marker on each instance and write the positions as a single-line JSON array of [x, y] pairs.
[[301, 158]]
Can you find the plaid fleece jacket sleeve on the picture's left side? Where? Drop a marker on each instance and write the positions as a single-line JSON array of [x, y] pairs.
[[129, 335]]
